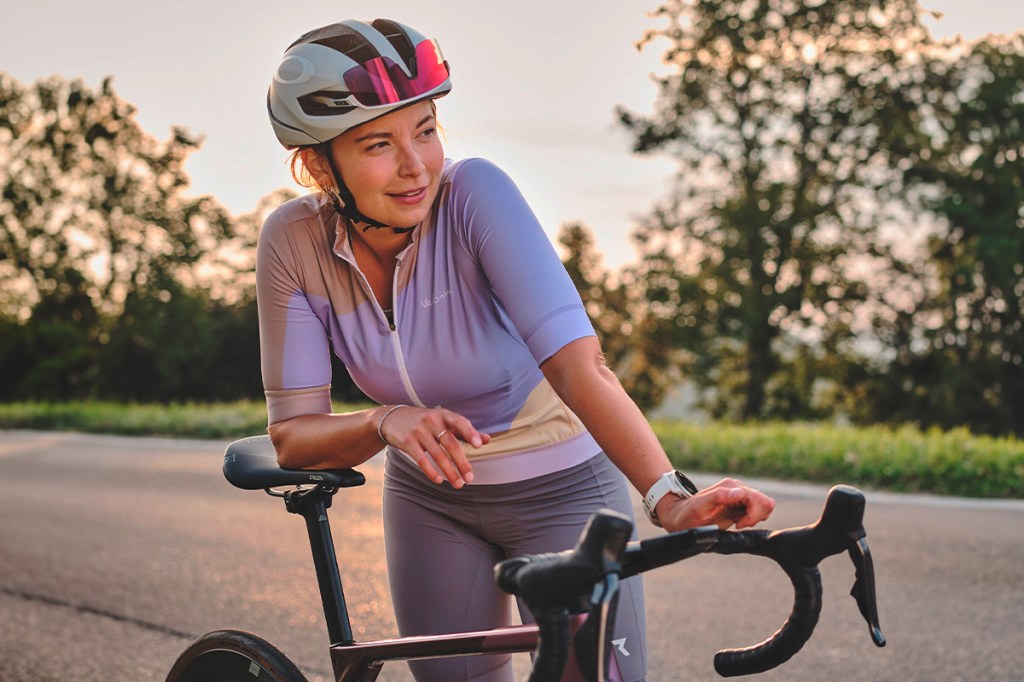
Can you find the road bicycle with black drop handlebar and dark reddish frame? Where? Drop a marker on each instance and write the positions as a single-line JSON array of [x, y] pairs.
[[572, 594]]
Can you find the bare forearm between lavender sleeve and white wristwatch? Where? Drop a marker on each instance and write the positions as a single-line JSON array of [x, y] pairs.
[[592, 392]]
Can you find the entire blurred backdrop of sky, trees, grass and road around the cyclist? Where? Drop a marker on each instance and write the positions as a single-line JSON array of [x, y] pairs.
[[798, 227]]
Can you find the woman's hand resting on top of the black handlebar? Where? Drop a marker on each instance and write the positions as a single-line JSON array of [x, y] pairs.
[[726, 504]]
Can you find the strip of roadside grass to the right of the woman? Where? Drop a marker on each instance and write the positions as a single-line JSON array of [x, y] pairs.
[[904, 459]]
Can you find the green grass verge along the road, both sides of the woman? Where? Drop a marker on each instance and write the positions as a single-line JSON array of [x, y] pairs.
[[904, 459]]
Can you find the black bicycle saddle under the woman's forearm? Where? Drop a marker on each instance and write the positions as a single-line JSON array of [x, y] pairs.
[[252, 465]]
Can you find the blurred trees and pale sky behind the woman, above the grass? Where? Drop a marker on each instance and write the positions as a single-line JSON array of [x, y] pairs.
[[775, 210]]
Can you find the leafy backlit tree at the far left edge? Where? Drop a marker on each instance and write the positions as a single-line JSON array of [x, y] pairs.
[[94, 220]]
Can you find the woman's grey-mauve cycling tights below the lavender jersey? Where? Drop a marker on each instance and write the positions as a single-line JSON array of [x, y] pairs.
[[443, 545]]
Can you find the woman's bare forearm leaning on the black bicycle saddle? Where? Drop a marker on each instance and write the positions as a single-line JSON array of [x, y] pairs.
[[326, 442]]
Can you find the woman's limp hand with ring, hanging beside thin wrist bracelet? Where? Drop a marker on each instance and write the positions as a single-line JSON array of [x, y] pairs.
[[435, 439]]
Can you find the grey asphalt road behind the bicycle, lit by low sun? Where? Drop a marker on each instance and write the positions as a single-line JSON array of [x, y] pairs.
[[116, 552]]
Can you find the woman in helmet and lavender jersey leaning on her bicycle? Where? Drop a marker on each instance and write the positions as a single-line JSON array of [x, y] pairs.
[[435, 284]]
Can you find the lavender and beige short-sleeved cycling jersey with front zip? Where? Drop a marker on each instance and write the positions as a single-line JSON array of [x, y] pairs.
[[481, 301]]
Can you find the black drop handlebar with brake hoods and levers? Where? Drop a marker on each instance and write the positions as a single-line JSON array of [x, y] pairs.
[[551, 584]]
